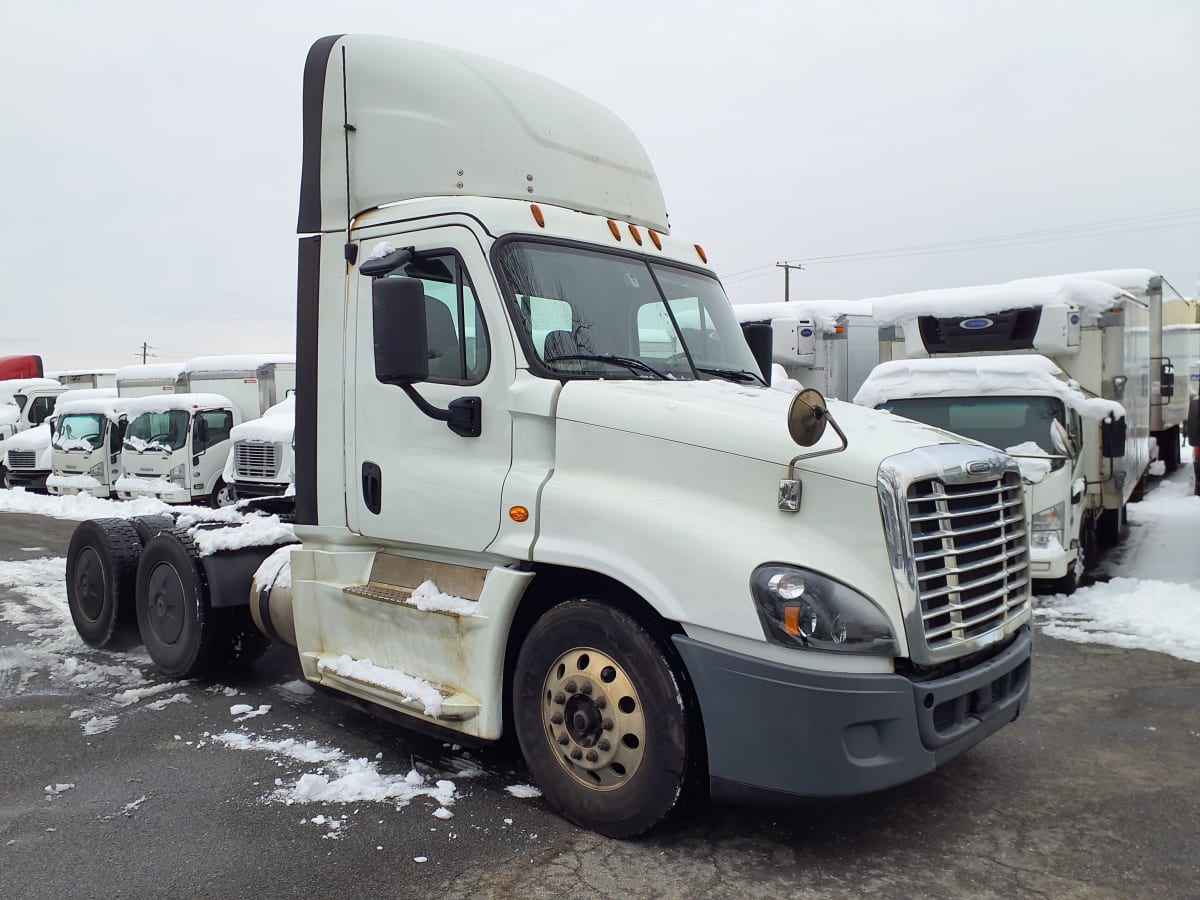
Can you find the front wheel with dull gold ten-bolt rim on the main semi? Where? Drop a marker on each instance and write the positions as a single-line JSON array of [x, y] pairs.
[[602, 719]]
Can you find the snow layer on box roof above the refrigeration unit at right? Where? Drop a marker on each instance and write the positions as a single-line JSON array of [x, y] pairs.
[[1091, 297]]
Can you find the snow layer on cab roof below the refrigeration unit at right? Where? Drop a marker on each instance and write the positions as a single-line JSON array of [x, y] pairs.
[[979, 376]]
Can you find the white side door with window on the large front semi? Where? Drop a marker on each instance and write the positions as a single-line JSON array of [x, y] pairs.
[[410, 479]]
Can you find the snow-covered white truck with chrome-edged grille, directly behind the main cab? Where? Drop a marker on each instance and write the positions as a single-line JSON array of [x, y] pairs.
[[262, 460]]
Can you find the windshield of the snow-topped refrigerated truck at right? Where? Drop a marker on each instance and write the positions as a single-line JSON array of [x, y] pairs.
[[1005, 423]]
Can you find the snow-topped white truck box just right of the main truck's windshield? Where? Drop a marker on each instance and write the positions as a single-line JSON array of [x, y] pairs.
[[827, 345]]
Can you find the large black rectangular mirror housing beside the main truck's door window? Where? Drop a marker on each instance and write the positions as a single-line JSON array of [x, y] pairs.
[[398, 322]]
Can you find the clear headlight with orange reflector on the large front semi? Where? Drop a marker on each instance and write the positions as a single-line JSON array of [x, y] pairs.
[[801, 609]]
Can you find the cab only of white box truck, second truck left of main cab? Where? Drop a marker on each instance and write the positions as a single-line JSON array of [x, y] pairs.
[[175, 448]]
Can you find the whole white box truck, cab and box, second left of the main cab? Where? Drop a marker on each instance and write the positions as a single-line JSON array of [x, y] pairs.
[[177, 446]]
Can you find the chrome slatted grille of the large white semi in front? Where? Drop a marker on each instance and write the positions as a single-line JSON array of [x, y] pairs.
[[971, 555]]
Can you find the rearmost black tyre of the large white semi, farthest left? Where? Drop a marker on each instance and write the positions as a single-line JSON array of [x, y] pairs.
[[103, 566]]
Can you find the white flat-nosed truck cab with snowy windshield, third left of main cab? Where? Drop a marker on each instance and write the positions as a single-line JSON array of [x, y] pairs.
[[86, 446]]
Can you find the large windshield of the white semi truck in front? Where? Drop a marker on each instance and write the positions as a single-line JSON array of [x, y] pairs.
[[586, 315]]
